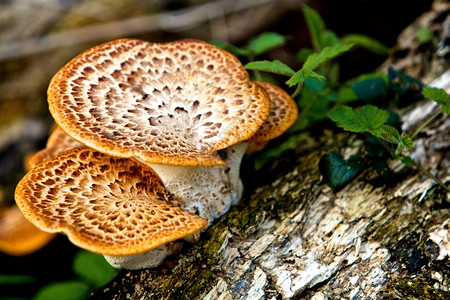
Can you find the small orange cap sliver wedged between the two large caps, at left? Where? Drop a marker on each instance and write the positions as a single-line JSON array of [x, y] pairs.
[[58, 142]]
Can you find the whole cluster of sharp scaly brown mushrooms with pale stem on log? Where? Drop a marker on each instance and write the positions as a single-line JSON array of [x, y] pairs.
[[184, 112]]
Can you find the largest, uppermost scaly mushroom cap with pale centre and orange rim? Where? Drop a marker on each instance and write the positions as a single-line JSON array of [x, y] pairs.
[[174, 103]]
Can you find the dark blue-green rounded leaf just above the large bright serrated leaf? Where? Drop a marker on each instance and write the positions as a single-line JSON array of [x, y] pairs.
[[370, 90]]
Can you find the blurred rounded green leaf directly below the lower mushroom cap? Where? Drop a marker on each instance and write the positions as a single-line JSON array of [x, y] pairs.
[[93, 268]]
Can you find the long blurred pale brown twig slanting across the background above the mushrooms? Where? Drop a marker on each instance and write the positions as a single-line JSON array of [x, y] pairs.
[[168, 21]]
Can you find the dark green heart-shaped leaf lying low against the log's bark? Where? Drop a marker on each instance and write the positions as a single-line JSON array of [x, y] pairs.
[[337, 171]]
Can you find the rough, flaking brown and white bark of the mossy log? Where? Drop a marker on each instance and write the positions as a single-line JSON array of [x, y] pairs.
[[297, 238]]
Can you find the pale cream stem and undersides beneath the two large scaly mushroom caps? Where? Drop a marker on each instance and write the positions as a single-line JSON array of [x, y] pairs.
[[206, 191]]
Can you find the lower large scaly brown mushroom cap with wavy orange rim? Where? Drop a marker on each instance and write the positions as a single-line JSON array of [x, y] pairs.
[[107, 205]]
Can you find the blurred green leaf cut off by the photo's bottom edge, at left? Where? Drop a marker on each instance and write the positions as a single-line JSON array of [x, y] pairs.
[[67, 290]]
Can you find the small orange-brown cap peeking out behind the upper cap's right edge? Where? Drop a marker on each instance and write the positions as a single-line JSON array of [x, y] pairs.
[[283, 114]]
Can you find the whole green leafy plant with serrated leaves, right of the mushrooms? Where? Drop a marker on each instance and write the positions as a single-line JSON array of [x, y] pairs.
[[325, 97]]
